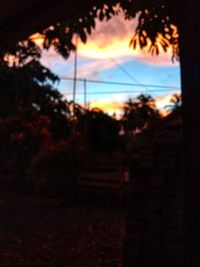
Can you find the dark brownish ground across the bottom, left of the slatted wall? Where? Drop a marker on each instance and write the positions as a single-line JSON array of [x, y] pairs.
[[45, 233]]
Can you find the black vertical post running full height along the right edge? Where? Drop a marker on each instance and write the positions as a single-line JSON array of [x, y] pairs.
[[190, 57]]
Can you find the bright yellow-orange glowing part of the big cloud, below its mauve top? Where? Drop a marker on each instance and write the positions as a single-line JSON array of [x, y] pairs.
[[103, 46]]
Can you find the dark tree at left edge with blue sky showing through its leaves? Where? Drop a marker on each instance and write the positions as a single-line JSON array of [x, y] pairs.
[[29, 89]]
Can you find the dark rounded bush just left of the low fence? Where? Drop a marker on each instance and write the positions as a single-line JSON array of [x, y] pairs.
[[56, 167]]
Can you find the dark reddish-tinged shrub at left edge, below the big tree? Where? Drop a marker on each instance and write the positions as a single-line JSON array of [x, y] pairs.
[[20, 141]]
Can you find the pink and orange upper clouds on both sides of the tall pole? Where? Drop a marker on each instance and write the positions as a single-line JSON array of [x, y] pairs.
[[110, 39]]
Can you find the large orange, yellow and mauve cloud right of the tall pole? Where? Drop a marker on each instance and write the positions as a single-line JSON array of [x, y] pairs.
[[112, 39]]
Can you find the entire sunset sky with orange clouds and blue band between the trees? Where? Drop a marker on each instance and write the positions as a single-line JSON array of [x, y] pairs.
[[108, 57]]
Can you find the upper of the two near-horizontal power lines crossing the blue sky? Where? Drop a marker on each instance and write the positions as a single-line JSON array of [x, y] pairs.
[[170, 88]]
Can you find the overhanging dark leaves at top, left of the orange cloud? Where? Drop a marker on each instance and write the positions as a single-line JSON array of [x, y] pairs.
[[62, 35]]
